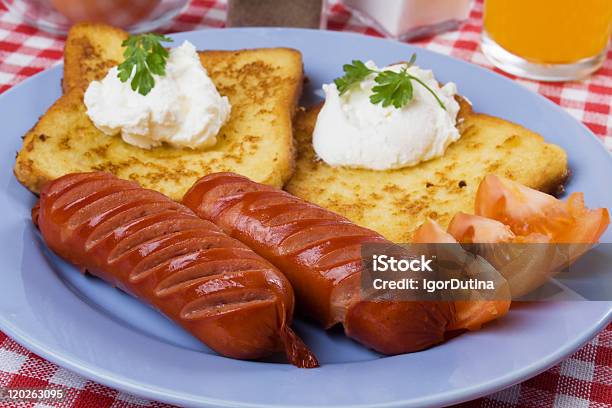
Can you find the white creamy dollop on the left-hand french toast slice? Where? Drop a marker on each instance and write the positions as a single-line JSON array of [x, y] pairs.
[[184, 108]]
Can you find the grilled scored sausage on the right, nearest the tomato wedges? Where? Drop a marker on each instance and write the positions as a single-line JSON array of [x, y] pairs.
[[320, 253]]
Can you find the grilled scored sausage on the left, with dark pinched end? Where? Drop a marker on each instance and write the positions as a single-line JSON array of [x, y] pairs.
[[158, 250]]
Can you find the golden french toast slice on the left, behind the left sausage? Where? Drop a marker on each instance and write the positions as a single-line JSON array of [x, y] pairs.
[[263, 86]]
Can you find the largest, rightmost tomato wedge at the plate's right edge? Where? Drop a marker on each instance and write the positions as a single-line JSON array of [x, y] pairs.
[[536, 217]]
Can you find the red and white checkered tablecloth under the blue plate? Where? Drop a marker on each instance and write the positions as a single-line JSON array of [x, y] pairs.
[[582, 380]]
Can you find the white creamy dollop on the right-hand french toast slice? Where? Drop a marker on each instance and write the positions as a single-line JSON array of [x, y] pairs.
[[351, 131]]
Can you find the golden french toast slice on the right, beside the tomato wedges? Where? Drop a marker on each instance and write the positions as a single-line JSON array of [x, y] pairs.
[[396, 202]]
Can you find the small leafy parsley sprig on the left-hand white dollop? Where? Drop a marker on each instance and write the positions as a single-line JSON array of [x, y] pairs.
[[144, 56]]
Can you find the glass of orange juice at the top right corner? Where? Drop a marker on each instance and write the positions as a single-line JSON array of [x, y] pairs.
[[547, 40]]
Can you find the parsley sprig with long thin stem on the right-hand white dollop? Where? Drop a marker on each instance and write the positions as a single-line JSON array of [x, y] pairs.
[[393, 88]]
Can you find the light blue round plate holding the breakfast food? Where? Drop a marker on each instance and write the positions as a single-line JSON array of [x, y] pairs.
[[86, 326]]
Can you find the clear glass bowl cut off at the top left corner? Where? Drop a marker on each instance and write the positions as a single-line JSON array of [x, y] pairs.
[[56, 16]]
